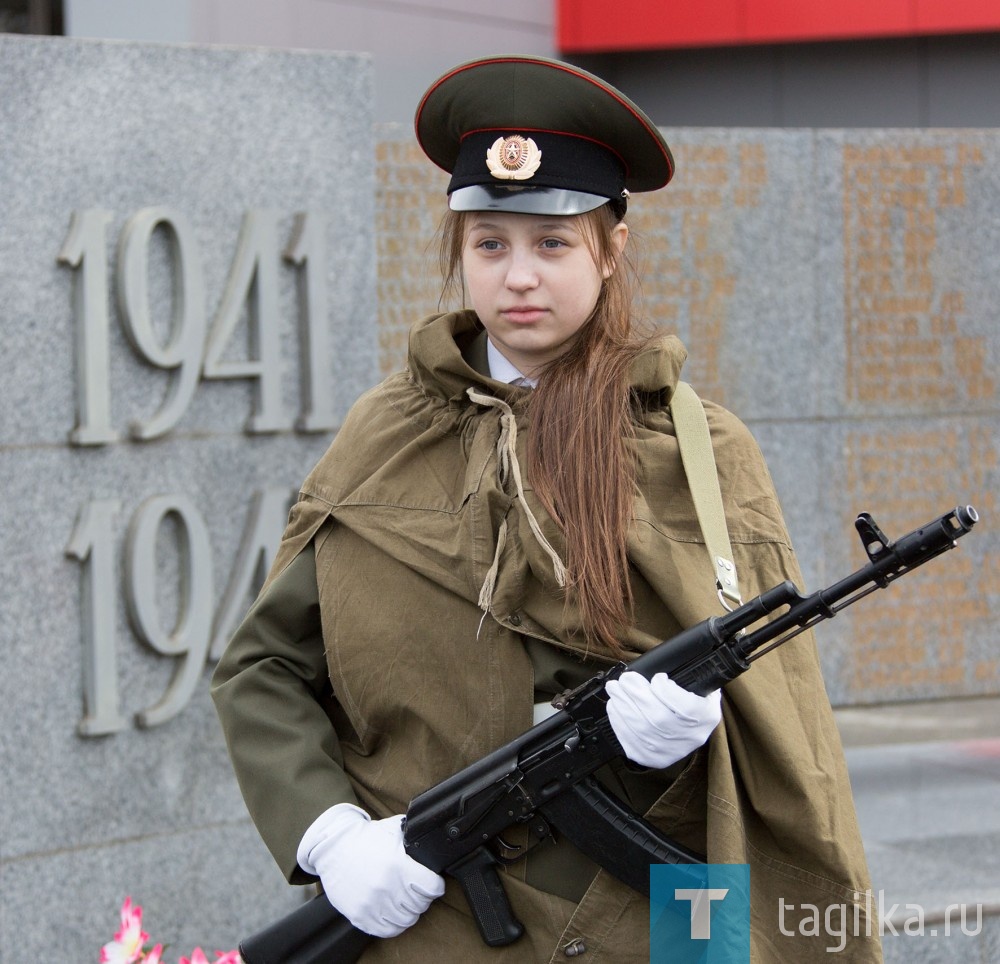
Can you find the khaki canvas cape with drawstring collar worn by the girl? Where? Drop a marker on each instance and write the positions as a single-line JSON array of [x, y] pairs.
[[421, 518]]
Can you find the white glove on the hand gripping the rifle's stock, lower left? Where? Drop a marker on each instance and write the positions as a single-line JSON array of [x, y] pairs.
[[366, 873]]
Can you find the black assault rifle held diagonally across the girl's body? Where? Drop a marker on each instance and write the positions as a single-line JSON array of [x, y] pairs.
[[545, 777]]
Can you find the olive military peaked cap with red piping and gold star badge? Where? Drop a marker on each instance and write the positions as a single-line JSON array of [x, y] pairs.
[[538, 136]]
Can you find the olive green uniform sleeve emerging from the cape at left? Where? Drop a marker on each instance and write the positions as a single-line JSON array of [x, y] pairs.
[[269, 690]]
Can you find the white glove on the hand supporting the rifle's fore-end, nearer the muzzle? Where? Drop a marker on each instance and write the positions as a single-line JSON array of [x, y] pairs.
[[659, 722]]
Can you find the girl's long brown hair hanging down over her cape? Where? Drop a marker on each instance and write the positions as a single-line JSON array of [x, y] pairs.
[[580, 423]]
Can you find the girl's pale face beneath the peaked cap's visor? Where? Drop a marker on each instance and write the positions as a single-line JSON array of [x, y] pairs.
[[533, 281]]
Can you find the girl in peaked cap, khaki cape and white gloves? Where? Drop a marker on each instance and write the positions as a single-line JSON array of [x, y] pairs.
[[502, 520]]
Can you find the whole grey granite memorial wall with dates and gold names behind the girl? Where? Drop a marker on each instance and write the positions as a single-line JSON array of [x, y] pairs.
[[207, 253]]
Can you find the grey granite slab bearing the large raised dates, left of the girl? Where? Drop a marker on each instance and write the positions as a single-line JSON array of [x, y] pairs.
[[187, 274]]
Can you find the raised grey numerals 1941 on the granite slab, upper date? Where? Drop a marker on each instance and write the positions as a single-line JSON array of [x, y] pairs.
[[193, 348]]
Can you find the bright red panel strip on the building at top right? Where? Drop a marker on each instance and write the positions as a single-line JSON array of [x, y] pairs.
[[603, 25]]
